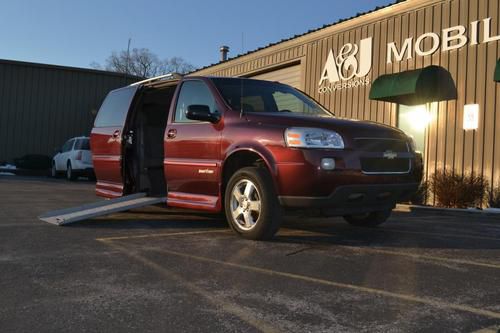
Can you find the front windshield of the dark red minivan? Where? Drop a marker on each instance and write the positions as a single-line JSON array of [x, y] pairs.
[[263, 96]]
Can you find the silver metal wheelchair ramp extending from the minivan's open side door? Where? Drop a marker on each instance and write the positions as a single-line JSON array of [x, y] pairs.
[[100, 208]]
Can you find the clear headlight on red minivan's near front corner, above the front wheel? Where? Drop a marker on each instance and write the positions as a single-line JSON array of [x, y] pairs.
[[304, 137]]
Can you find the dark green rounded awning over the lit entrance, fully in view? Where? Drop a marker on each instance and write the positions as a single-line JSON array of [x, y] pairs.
[[416, 87]]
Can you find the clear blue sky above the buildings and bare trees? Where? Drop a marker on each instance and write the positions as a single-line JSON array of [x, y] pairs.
[[77, 33]]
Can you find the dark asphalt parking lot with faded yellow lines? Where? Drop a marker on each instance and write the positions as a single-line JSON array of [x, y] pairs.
[[154, 269]]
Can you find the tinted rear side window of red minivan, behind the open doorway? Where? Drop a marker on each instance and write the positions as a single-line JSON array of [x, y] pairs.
[[114, 109]]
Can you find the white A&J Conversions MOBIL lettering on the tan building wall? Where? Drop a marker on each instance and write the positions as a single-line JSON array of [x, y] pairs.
[[349, 67]]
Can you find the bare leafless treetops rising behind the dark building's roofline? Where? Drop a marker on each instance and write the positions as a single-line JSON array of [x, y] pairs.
[[144, 63]]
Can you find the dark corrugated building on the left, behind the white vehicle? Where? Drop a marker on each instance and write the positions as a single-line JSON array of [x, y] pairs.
[[41, 106]]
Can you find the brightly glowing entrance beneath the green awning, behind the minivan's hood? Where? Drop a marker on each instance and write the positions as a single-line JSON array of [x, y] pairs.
[[413, 120]]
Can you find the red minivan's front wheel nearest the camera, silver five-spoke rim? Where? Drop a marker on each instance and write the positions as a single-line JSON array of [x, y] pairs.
[[251, 204]]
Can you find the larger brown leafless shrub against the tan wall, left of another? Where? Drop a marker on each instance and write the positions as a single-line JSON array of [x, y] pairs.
[[458, 191]]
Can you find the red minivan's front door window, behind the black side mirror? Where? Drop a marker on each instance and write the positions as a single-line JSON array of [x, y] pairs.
[[193, 93]]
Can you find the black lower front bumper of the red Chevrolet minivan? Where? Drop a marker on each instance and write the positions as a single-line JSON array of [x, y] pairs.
[[354, 199]]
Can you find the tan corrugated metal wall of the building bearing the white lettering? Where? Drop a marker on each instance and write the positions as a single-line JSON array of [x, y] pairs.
[[448, 145]]
